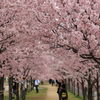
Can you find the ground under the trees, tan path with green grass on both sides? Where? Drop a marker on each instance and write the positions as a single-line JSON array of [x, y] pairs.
[[47, 92]]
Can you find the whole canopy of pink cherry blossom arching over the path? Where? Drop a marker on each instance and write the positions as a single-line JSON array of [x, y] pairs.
[[51, 38]]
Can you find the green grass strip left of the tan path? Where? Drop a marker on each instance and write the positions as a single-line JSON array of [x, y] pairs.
[[32, 94]]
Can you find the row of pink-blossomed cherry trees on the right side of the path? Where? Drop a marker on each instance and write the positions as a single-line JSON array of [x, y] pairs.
[[80, 35]]
